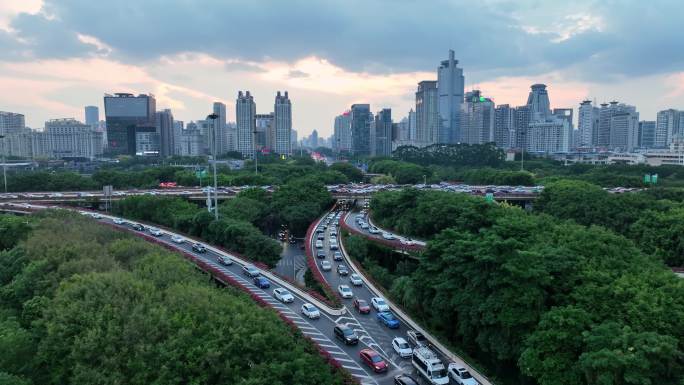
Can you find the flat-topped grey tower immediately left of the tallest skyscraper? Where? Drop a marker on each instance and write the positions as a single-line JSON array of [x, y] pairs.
[[427, 114]]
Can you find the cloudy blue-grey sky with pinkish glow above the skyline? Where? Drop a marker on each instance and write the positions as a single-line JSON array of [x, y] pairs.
[[57, 56]]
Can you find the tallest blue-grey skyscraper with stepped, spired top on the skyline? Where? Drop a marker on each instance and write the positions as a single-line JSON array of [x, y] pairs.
[[450, 87]]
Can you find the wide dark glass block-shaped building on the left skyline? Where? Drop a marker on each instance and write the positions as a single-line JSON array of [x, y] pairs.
[[129, 119]]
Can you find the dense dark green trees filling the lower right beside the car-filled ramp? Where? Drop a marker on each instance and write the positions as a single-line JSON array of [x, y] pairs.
[[537, 299]]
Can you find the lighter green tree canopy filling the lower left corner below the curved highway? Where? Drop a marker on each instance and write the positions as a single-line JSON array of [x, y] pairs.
[[86, 305]]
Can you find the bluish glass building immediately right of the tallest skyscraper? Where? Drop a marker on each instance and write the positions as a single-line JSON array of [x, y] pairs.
[[477, 119]]
